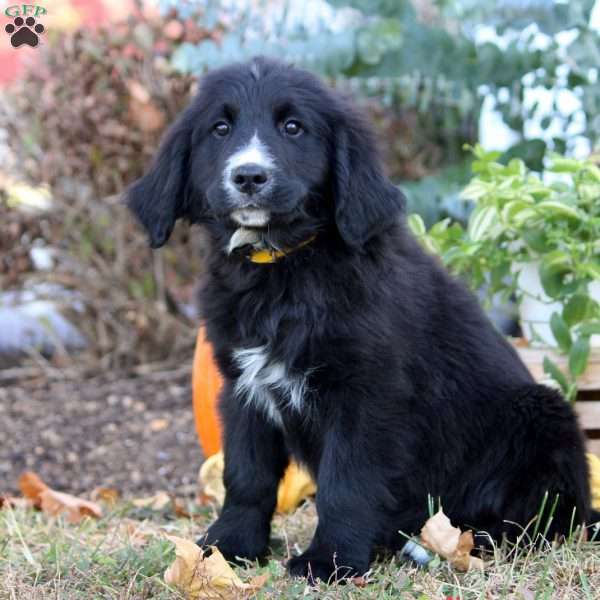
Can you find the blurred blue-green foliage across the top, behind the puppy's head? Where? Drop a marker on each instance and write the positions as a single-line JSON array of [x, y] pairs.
[[436, 64]]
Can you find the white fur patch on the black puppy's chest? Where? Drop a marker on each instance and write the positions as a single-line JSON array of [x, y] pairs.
[[261, 379]]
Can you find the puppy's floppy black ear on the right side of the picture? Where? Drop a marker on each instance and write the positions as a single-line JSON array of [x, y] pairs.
[[366, 202]]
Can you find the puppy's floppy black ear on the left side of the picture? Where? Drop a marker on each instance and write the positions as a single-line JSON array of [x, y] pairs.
[[158, 199]]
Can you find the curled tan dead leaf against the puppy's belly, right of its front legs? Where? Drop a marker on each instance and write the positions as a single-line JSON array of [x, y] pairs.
[[441, 537]]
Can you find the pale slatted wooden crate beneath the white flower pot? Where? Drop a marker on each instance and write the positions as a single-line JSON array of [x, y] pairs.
[[588, 400]]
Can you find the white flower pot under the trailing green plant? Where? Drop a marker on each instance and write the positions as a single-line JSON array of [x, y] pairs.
[[535, 308]]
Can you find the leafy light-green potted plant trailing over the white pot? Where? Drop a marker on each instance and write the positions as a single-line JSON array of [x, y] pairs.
[[520, 218]]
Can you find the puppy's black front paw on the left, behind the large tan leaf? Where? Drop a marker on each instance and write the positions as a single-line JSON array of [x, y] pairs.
[[236, 543]]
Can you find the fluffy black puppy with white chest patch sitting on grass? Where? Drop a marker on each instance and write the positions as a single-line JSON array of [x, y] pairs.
[[342, 343]]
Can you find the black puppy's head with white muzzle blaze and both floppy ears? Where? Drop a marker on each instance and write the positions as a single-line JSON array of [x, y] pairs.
[[267, 147]]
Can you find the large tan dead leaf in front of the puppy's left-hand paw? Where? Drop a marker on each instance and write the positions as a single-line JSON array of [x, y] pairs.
[[198, 576]]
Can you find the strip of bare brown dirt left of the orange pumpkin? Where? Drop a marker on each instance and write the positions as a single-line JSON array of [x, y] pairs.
[[134, 434]]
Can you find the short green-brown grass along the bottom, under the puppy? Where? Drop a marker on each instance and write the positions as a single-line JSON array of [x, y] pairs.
[[124, 555]]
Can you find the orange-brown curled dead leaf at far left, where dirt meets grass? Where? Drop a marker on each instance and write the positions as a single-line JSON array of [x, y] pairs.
[[53, 503]]
